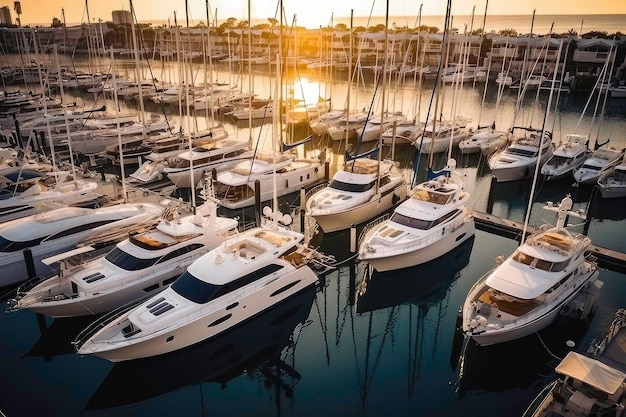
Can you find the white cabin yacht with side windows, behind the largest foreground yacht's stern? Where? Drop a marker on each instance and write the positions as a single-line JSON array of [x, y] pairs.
[[235, 187]]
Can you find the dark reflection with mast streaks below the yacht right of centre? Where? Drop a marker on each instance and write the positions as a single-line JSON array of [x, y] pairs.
[[402, 312]]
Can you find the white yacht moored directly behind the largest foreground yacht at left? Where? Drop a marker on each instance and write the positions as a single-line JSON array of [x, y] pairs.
[[137, 267]]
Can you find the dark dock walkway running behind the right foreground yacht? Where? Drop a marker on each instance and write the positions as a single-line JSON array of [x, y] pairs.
[[607, 258]]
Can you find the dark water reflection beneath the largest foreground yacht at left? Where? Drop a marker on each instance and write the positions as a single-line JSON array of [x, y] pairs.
[[263, 348]]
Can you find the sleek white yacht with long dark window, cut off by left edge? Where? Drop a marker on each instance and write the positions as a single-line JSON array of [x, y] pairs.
[[56, 231]]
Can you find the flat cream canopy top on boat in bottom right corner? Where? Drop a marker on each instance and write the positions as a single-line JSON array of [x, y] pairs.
[[591, 372]]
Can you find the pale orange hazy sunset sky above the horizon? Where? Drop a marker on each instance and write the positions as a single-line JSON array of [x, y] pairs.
[[309, 13]]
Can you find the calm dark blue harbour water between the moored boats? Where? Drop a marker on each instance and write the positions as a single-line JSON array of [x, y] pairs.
[[362, 344]]
